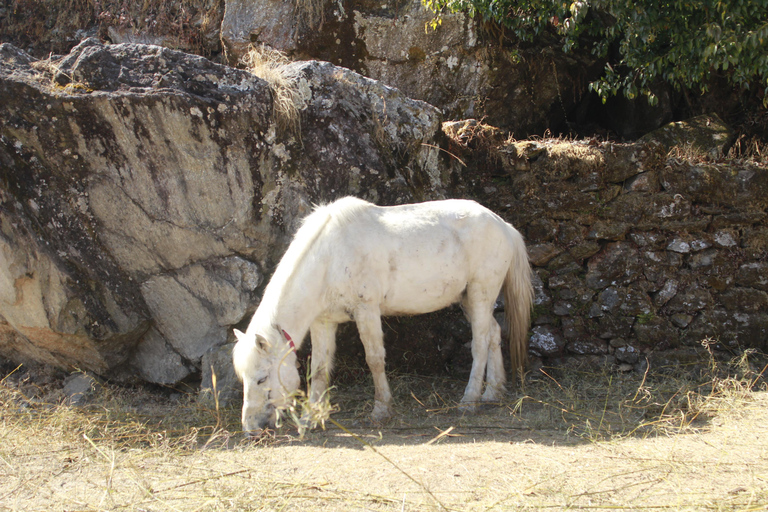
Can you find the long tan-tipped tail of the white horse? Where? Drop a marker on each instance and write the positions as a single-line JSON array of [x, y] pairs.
[[518, 301]]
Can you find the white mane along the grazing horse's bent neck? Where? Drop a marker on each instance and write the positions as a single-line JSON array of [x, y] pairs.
[[326, 216]]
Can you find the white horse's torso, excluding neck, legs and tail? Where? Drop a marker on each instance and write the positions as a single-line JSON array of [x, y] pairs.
[[418, 257]]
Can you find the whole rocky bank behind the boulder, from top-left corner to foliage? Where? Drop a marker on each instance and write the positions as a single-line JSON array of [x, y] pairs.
[[461, 67]]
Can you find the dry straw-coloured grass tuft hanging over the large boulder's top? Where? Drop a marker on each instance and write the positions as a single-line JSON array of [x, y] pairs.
[[274, 68]]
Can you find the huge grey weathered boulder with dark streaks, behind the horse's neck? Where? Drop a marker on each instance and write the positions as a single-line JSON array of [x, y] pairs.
[[146, 193]]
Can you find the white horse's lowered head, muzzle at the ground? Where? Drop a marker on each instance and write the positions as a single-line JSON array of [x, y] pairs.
[[269, 374]]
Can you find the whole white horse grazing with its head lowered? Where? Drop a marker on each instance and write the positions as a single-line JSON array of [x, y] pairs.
[[355, 261]]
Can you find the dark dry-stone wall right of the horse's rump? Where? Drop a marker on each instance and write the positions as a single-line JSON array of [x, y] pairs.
[[637, 252]]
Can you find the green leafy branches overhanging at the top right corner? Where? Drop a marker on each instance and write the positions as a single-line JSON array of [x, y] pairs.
[[683, 42]]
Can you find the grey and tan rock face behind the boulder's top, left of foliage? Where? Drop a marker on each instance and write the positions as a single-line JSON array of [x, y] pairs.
[[455, 67]]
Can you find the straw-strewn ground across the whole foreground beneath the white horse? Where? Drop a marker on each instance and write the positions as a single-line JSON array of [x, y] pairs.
[[677, 438]]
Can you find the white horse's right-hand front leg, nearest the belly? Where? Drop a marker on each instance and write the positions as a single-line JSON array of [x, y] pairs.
[[368, 320]]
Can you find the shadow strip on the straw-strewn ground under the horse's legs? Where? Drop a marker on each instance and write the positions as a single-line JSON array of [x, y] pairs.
[[557, 407]]
